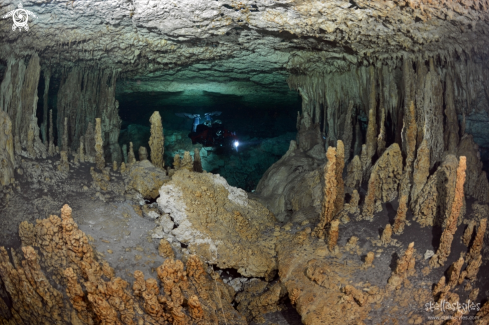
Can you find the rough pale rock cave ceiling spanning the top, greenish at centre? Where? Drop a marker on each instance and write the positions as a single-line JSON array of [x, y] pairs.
[[238, 47]]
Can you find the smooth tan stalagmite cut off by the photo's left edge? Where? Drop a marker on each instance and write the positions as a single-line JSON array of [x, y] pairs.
[[7, 160]]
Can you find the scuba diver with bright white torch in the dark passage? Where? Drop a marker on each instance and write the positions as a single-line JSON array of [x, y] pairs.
[[211, 133]]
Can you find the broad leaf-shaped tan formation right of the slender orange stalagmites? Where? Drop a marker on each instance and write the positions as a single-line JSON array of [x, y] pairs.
[[384, 180]]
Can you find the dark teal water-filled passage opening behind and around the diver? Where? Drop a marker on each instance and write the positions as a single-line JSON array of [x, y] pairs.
[[264, 124]]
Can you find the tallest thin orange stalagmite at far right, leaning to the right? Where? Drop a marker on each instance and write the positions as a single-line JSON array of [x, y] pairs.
[[451, 226]]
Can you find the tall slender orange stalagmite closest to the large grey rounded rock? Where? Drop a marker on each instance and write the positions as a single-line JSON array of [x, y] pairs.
[[329, 194]]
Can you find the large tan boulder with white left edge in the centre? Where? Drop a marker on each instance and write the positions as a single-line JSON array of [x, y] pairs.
[[219, 223]]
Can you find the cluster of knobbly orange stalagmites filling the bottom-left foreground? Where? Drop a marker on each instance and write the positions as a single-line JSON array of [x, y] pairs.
[[180, 295]]
